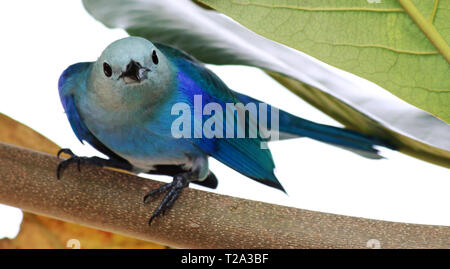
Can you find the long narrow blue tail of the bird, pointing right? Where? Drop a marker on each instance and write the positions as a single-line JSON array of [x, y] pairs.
[[291, 126]]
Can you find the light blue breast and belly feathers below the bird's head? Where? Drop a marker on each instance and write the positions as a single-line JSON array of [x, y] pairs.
[[143, 140]]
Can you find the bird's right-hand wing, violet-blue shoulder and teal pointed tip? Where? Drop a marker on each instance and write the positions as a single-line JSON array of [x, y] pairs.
[[244, 155]]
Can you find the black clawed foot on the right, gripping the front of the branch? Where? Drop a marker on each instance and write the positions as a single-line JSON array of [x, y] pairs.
[[173, 192]]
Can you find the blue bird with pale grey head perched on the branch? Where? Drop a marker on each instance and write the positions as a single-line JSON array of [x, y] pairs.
[[128, 102]]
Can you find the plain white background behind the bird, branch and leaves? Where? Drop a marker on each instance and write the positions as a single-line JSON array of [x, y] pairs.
[[41, 38]]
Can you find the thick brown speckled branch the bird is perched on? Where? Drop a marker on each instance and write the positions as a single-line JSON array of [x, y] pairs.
[[112, 201]]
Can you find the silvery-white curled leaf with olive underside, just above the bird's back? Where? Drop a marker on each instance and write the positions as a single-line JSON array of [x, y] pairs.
[[214, 38]]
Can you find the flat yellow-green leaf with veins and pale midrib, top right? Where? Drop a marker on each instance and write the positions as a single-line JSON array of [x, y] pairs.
[[402, 46]]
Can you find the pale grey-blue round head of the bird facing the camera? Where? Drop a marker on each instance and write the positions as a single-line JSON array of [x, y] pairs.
[[130, 70]]
